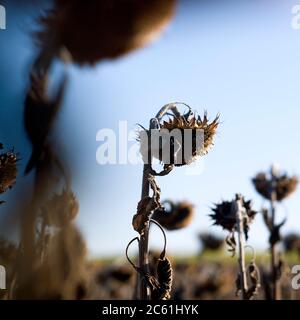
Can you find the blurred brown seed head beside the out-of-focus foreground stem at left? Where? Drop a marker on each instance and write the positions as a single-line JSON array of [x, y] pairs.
[[61, 209]]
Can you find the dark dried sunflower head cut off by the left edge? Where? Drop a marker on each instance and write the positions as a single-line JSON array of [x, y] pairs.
[[8, 170]]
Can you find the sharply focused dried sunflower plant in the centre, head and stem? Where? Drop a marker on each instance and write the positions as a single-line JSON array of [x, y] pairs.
[[171, 151]]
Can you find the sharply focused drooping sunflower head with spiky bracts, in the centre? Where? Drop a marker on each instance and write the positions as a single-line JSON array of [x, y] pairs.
[[180, 140]]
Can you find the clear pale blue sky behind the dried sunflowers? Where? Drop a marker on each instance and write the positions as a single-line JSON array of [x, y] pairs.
[[239, 58]]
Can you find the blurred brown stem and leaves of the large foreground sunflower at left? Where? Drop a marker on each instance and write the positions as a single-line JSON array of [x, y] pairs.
[[51, 252]]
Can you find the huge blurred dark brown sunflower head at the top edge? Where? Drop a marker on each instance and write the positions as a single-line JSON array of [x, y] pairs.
[[103, 29]]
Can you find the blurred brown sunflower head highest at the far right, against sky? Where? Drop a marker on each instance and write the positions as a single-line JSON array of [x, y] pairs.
[[284, 185]]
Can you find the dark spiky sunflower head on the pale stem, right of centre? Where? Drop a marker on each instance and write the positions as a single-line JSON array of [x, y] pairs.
[[225, 215]]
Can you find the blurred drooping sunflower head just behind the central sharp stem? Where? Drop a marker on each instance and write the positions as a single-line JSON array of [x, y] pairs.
[[178, 216]]
